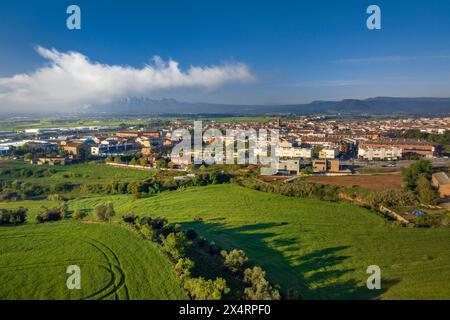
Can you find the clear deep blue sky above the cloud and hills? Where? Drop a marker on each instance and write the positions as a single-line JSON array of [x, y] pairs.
[[297, 51]]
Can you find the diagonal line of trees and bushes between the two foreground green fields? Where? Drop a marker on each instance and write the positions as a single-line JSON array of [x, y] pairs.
[[179, 244]]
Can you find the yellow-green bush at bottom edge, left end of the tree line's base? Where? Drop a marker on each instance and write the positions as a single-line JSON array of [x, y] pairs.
[[202, 289]]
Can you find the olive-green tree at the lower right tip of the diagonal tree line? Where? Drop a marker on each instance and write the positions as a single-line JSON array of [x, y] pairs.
[[260, 288]]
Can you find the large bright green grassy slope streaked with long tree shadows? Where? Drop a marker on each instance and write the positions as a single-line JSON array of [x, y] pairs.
[[319, 248]]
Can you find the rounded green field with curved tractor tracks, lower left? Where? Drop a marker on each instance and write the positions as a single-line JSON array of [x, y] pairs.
[[115, 263]]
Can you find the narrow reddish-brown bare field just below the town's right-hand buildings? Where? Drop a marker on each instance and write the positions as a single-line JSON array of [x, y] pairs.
[[372, 182]]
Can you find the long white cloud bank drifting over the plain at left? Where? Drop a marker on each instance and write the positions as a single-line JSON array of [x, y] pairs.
[[71, 80]]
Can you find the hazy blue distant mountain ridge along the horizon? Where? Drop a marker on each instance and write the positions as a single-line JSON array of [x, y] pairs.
[[371, 106]]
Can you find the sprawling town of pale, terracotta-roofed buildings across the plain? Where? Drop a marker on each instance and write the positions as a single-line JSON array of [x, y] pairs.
[[316, 144]]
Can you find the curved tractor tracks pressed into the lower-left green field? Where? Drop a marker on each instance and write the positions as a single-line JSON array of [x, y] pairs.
[[113, 266]]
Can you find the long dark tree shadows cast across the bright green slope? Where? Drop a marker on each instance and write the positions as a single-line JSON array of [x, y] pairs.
[[315, 275]]
